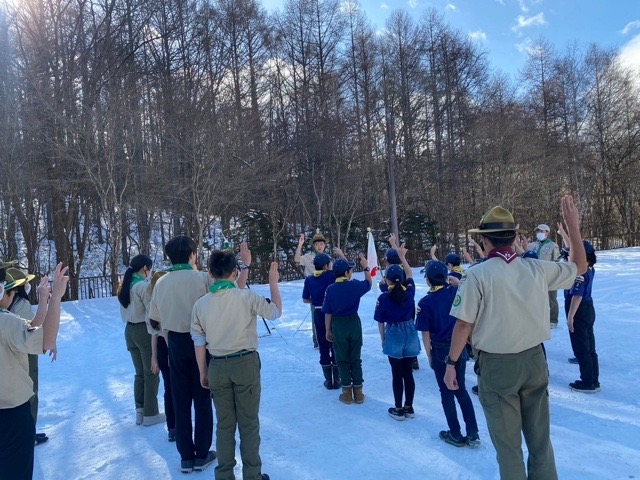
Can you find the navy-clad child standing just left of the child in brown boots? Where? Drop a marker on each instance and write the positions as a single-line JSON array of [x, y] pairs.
[[313, 292]]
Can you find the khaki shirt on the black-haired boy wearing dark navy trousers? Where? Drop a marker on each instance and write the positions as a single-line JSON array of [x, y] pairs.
[[173, 298]]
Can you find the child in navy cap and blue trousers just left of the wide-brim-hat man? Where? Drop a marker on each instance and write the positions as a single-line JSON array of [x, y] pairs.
[[436, 324]]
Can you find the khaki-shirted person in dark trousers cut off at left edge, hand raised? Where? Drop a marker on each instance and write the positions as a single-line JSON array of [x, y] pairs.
[[18, 338]]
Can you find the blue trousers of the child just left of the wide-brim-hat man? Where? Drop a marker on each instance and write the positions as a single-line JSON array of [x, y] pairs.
[[439, 350]]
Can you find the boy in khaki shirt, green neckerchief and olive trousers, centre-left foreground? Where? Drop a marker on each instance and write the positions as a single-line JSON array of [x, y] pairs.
[[223, 325]]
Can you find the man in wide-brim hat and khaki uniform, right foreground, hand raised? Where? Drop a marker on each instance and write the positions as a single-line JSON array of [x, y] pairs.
[[504, 300]]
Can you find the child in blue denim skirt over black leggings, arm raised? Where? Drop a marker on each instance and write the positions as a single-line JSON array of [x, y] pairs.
[[395, 312]]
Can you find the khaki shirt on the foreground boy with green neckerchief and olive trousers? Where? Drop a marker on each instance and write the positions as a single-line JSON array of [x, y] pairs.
[[227, 319]]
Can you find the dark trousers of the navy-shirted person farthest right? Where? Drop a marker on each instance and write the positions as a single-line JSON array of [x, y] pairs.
[[583, 342]]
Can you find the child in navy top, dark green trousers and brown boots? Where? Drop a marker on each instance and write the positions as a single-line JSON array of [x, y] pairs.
[[342, 323]]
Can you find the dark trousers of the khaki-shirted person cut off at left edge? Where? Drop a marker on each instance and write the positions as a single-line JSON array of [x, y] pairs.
[[17, 440]]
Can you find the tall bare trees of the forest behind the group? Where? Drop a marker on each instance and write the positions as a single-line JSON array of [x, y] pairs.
[[120, 119]]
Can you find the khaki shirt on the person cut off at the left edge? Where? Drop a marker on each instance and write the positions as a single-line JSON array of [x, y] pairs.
[[16, 341]]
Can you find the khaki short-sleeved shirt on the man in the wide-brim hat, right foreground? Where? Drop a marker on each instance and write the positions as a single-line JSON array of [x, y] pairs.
[[508, 303]]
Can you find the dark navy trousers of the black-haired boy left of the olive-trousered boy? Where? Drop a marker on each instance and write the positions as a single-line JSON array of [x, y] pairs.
[[186, 389]]
